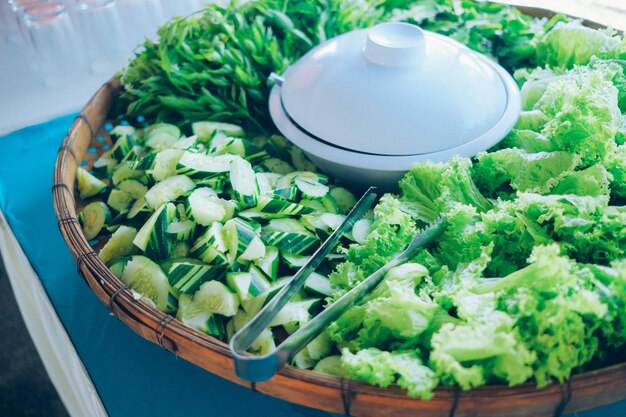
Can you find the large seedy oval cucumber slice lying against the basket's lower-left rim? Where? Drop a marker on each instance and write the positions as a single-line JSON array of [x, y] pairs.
[[146, 277]]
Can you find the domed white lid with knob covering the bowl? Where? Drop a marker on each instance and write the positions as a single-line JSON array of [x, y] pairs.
[[396, 89]]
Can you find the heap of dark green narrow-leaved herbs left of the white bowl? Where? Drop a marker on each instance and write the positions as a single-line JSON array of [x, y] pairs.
[[214, 65]]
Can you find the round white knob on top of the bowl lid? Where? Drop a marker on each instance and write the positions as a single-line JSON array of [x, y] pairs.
[[394, 44]]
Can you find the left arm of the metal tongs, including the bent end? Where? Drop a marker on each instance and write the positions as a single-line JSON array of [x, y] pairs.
[[260, 368]]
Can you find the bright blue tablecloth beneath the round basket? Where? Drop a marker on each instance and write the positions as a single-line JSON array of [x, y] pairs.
[[132, 376]]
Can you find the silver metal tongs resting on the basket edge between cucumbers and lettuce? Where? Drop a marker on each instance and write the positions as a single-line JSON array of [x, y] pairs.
[[260, 368]]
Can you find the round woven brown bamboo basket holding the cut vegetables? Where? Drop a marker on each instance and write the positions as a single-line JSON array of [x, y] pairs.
[[85, 141]]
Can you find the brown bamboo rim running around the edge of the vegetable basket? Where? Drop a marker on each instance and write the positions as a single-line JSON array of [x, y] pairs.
[[181, 339]]
